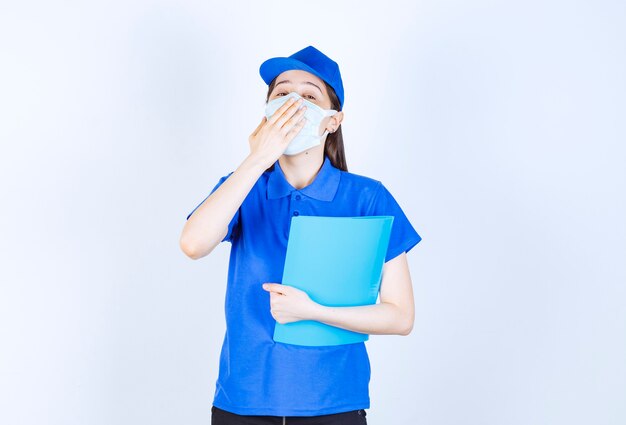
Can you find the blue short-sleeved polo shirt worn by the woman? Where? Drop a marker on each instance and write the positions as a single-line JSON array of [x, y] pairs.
[[258, 376]]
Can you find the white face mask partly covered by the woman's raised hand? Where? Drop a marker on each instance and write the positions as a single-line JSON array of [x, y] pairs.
[[308, 136]]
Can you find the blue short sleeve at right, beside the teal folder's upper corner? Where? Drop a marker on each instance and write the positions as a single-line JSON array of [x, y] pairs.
[[403, 235]]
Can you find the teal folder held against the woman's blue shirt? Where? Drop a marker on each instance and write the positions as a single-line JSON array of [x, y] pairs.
[[338, 262]]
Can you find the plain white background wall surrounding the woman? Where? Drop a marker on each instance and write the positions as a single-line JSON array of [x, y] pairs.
[[499, 126]]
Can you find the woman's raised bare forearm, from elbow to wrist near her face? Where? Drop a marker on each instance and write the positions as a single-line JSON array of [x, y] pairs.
[[205, 228]]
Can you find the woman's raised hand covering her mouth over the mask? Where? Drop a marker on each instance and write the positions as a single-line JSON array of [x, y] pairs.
[[271, 137]]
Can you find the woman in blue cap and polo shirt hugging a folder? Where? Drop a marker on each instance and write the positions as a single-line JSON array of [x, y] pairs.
[[296, 166]]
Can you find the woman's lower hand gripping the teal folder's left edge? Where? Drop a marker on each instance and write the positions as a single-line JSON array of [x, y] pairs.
[[289, 304]]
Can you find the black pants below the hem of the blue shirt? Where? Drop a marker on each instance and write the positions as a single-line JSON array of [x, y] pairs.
[[352, 417]]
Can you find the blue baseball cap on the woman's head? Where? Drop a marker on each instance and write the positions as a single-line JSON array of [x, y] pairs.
[[310, 60]]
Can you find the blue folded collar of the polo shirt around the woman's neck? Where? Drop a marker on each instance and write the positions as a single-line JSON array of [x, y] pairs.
[[323, 187]]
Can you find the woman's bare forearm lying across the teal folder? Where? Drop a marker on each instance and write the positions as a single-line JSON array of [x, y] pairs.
[[376, 319]]
